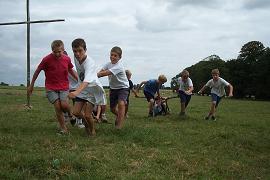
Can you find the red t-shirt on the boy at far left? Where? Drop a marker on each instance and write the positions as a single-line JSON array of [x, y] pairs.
[[56, 72]]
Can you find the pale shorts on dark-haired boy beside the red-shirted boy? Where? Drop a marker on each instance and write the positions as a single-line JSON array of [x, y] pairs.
[[95, 95]]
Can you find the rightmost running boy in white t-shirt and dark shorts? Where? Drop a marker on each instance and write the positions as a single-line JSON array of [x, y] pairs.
[[217, 85]]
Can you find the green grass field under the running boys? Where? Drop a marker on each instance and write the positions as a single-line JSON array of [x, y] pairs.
[[236, 146]]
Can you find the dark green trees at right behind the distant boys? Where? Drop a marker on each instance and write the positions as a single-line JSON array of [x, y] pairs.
[[249, 73]]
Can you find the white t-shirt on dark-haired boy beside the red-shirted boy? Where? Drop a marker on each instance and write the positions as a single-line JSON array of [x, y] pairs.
[[87, 72]]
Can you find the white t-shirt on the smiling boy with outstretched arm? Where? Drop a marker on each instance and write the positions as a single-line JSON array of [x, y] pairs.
[[118, 79]]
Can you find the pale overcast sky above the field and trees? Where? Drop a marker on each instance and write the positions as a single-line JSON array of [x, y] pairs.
[[156, 36]]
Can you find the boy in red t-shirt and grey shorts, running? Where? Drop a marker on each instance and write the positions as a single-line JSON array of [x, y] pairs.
[[56, 67]]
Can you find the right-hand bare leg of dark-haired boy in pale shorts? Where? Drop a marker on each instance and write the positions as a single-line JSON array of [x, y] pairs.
[[88, 109]]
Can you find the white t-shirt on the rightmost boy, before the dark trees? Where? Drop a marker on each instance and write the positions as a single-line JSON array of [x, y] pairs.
[[217, 87]]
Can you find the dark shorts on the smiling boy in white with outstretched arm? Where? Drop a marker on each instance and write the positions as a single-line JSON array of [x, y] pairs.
[[118, 95]]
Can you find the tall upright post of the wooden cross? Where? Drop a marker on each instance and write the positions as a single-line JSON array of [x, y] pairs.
[[28, 51]]
